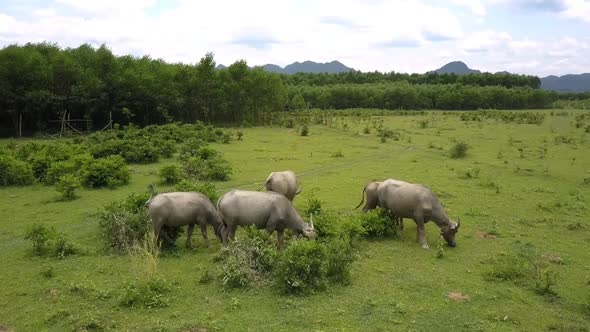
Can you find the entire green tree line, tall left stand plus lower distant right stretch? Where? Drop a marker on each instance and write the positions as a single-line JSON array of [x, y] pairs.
[[40, 82]]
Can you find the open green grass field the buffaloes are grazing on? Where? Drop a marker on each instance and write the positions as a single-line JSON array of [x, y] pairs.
[[519, 191]]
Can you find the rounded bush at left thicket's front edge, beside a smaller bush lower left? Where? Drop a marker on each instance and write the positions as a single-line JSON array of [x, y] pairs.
[[110, 171]]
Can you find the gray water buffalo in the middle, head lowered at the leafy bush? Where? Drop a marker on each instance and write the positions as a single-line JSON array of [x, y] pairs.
[[269, 210]]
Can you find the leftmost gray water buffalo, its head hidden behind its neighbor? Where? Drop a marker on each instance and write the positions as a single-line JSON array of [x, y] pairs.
[[176, 209]]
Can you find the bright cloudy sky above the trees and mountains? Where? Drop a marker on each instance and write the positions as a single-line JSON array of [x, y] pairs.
[[538, 37]]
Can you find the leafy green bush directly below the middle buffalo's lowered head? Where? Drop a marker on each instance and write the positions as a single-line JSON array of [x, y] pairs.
[[302, 267]]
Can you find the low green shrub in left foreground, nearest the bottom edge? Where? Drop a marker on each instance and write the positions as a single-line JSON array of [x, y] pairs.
[[151, 293]]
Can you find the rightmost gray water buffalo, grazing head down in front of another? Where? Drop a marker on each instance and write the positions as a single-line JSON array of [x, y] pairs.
[[419, 203]]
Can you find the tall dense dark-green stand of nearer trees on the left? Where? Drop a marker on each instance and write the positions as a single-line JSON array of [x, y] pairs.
[[39, 82]]
